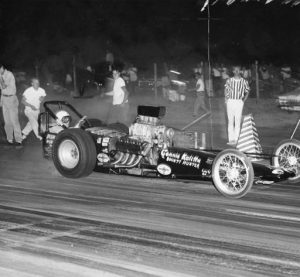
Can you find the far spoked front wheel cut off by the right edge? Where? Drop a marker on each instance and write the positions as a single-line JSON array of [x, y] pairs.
[[287, 156]]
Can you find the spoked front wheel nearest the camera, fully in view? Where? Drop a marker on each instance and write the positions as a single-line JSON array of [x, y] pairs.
[[232, 173]]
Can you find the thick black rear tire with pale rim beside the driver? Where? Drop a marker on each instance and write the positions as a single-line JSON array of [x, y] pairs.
[[74, 153]]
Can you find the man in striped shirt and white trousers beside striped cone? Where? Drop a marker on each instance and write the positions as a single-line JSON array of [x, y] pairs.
[[236, 93]]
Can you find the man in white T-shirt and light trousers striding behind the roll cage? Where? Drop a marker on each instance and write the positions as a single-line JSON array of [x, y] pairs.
[[32, 98]]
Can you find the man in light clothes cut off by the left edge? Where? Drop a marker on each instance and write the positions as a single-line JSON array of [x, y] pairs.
[[10, 104]]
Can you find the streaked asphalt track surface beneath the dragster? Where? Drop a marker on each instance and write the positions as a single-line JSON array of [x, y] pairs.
[[110, 225]]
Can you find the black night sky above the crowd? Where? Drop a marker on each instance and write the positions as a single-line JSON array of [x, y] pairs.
[[143, 31]]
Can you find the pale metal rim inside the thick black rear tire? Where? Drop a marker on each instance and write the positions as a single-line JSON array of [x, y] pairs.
[[68, 154]]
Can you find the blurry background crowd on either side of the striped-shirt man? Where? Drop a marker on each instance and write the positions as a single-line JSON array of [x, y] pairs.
[[268, 79]]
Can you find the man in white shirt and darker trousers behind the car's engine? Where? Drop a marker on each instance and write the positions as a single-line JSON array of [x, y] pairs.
[[120, 106]]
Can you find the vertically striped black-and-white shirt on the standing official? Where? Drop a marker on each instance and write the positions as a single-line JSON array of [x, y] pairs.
[[236, 88]]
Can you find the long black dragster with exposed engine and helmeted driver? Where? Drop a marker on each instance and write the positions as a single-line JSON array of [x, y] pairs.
[[79, 145]]
